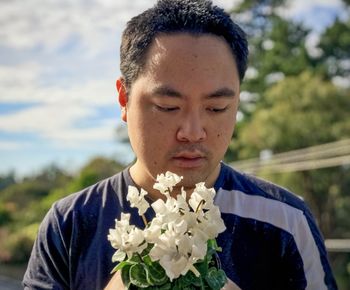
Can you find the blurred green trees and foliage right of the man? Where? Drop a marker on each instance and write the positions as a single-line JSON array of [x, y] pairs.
[[291, 102]]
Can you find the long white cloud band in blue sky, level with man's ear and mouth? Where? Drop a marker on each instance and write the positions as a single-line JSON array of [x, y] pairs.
[[57, 123]]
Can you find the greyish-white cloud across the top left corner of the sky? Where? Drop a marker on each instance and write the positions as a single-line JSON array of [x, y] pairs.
[[26, 24]]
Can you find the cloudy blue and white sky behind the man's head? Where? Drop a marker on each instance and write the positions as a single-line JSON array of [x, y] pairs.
[[59, 60]]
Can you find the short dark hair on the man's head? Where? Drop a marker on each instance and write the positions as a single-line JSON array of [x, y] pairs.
[[174, 16]]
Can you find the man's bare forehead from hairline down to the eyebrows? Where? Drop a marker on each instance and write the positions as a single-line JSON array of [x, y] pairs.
[[191, 64]]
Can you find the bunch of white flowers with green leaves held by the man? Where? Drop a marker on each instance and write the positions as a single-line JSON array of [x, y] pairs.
[[177, 249]]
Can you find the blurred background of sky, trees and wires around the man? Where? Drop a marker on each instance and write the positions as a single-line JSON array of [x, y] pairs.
[[60, 127]]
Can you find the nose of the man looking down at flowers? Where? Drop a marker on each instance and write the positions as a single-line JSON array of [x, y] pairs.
[[192, 128]]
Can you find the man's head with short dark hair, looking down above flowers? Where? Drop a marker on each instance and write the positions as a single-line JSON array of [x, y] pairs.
[[182, 63]]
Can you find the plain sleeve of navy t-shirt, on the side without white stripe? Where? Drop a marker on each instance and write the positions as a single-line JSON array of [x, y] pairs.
[[48, 266]]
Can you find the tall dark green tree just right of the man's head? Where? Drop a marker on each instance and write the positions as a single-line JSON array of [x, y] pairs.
[[277, 50]]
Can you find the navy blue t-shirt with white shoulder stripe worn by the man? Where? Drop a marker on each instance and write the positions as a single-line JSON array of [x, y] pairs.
[[271, 240]]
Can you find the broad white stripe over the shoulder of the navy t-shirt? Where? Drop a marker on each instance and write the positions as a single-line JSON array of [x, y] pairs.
[[283, 216]]
